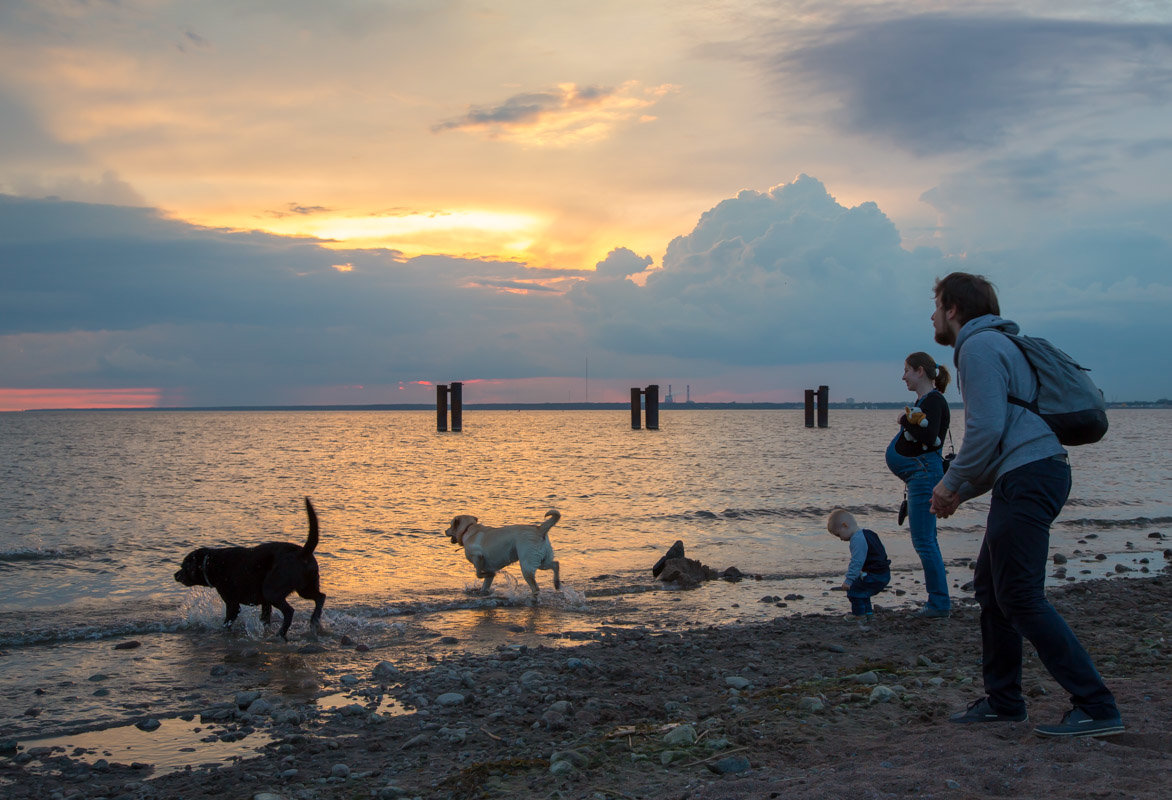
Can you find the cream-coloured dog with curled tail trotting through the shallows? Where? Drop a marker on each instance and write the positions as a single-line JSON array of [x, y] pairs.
[[493, 550]]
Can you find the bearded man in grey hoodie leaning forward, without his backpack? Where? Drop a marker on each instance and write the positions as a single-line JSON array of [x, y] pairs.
[[1012, 454]]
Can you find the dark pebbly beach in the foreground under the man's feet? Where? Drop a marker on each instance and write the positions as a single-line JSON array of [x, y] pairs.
[[802, 706]]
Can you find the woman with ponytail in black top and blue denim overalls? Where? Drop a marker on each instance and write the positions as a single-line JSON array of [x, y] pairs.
[[914, 456]]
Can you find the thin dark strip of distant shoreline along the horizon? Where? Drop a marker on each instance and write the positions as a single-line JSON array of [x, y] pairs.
[[547, 407]]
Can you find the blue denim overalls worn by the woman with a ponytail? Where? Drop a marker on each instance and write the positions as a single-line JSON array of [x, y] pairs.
[[922, 474]]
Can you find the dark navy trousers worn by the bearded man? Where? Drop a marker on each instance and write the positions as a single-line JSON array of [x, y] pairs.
[[1010, 584]]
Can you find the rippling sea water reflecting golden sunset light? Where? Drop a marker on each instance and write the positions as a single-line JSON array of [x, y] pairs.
[[98, 509]]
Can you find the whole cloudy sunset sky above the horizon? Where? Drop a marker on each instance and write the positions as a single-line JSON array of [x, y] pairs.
[[295, 202]]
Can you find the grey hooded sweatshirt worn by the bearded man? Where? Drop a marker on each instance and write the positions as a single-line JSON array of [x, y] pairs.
[[999, 436]]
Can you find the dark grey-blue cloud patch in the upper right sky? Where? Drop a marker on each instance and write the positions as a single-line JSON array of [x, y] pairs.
[[944, 84]]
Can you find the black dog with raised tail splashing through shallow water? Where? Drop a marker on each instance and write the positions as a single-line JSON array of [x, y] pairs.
[[262, 576]]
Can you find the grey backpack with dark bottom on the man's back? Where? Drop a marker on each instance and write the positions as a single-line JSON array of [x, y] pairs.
[[1067, 399]]
